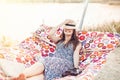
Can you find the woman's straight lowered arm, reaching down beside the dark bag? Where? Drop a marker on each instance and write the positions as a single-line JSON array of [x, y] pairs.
[[76, 55]]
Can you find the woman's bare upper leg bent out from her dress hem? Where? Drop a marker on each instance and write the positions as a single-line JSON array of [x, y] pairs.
[[35, 69]]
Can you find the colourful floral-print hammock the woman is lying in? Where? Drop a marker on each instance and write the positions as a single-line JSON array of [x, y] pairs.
[[95, 48]]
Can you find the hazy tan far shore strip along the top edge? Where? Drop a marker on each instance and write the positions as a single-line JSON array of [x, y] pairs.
[[60, 1]]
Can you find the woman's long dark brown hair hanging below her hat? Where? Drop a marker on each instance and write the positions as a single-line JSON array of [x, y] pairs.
[[74, 39]]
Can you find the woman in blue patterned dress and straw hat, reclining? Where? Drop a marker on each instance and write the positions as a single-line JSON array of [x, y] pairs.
[[65, 57]]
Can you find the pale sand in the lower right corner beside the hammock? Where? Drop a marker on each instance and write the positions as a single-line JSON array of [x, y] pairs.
[[111, 70]]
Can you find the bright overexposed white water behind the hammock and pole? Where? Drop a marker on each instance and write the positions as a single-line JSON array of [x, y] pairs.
[[18, 21]]
